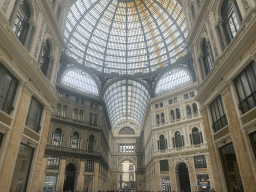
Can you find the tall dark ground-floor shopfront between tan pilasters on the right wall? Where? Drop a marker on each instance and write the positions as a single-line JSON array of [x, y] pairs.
[[230, 167]]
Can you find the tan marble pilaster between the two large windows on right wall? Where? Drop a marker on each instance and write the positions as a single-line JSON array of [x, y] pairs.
[[244, 164]]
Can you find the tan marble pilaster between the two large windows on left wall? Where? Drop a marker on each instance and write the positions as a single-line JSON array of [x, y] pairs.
[[14, 141]]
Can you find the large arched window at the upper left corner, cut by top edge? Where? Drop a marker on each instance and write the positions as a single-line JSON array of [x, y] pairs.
[[20, 20]]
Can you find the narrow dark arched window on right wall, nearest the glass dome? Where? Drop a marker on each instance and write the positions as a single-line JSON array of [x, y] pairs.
[[207, 56]]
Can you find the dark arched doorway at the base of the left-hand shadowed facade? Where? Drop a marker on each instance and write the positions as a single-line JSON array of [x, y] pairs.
[[70, 175]]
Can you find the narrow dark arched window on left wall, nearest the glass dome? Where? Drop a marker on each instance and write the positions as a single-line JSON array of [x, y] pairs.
[[44, 59]]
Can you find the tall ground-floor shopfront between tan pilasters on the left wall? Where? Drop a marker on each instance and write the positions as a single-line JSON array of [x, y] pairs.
[[22, 168]]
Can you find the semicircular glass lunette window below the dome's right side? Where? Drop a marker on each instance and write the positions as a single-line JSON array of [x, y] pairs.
[[173, 79]]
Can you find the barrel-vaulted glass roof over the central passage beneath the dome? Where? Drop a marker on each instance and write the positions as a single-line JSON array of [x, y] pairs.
[[126, 100]]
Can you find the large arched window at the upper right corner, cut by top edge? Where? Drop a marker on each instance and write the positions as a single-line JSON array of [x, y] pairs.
[[231, 17]]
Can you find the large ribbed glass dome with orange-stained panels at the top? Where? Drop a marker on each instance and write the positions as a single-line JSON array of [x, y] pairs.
[[125, 36]]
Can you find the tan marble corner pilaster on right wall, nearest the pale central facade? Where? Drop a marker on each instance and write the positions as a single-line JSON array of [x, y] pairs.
[[212, 153]]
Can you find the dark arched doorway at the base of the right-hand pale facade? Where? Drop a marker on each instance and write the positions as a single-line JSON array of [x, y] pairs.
[[184, 178]]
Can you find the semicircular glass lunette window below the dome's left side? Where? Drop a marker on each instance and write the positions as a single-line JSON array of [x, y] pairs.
[[80, 80]]
